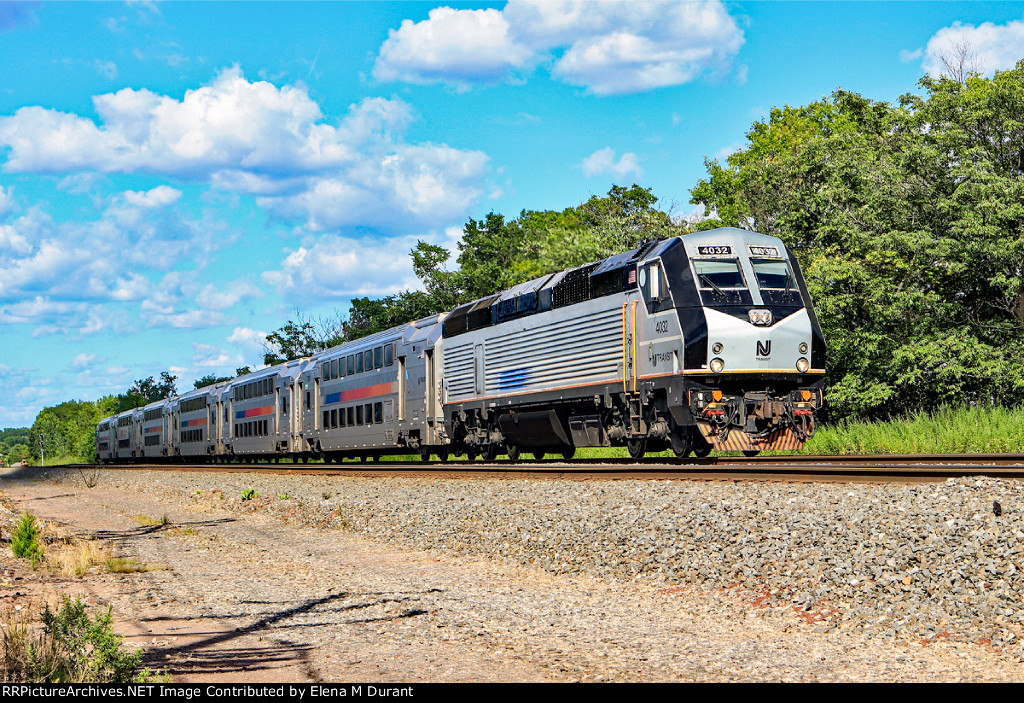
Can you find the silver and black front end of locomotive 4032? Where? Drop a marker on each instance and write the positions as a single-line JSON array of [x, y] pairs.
[[756, 362]]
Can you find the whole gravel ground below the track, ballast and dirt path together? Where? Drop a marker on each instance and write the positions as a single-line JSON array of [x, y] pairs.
[[408, 581]]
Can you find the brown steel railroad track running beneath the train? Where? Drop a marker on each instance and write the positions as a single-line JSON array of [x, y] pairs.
[[875, 468]]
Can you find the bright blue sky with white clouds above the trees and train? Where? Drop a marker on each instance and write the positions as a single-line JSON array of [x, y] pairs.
[[178, 180]]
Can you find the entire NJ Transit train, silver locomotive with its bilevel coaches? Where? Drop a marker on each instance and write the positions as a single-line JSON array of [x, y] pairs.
[[701, 342]]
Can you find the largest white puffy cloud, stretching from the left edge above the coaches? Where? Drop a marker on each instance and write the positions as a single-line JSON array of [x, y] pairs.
[[261, 140]]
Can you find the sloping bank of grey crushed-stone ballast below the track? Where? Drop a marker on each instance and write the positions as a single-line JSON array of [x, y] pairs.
[[926, 564]]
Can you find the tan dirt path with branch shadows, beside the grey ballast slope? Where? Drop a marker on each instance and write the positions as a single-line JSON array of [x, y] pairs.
[[245, 598]]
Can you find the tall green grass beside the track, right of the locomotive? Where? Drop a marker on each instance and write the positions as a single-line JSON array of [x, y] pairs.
[[951, 430]]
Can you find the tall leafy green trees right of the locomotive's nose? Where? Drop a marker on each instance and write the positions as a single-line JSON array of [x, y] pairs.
[[909, 223]]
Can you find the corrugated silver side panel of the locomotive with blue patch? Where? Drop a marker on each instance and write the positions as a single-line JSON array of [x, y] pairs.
[[560, 351]]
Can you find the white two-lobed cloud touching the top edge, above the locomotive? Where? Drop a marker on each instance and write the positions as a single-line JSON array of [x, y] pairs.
[[609, 48]]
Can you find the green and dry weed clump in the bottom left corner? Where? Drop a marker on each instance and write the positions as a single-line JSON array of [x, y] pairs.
[[70, 648]]
